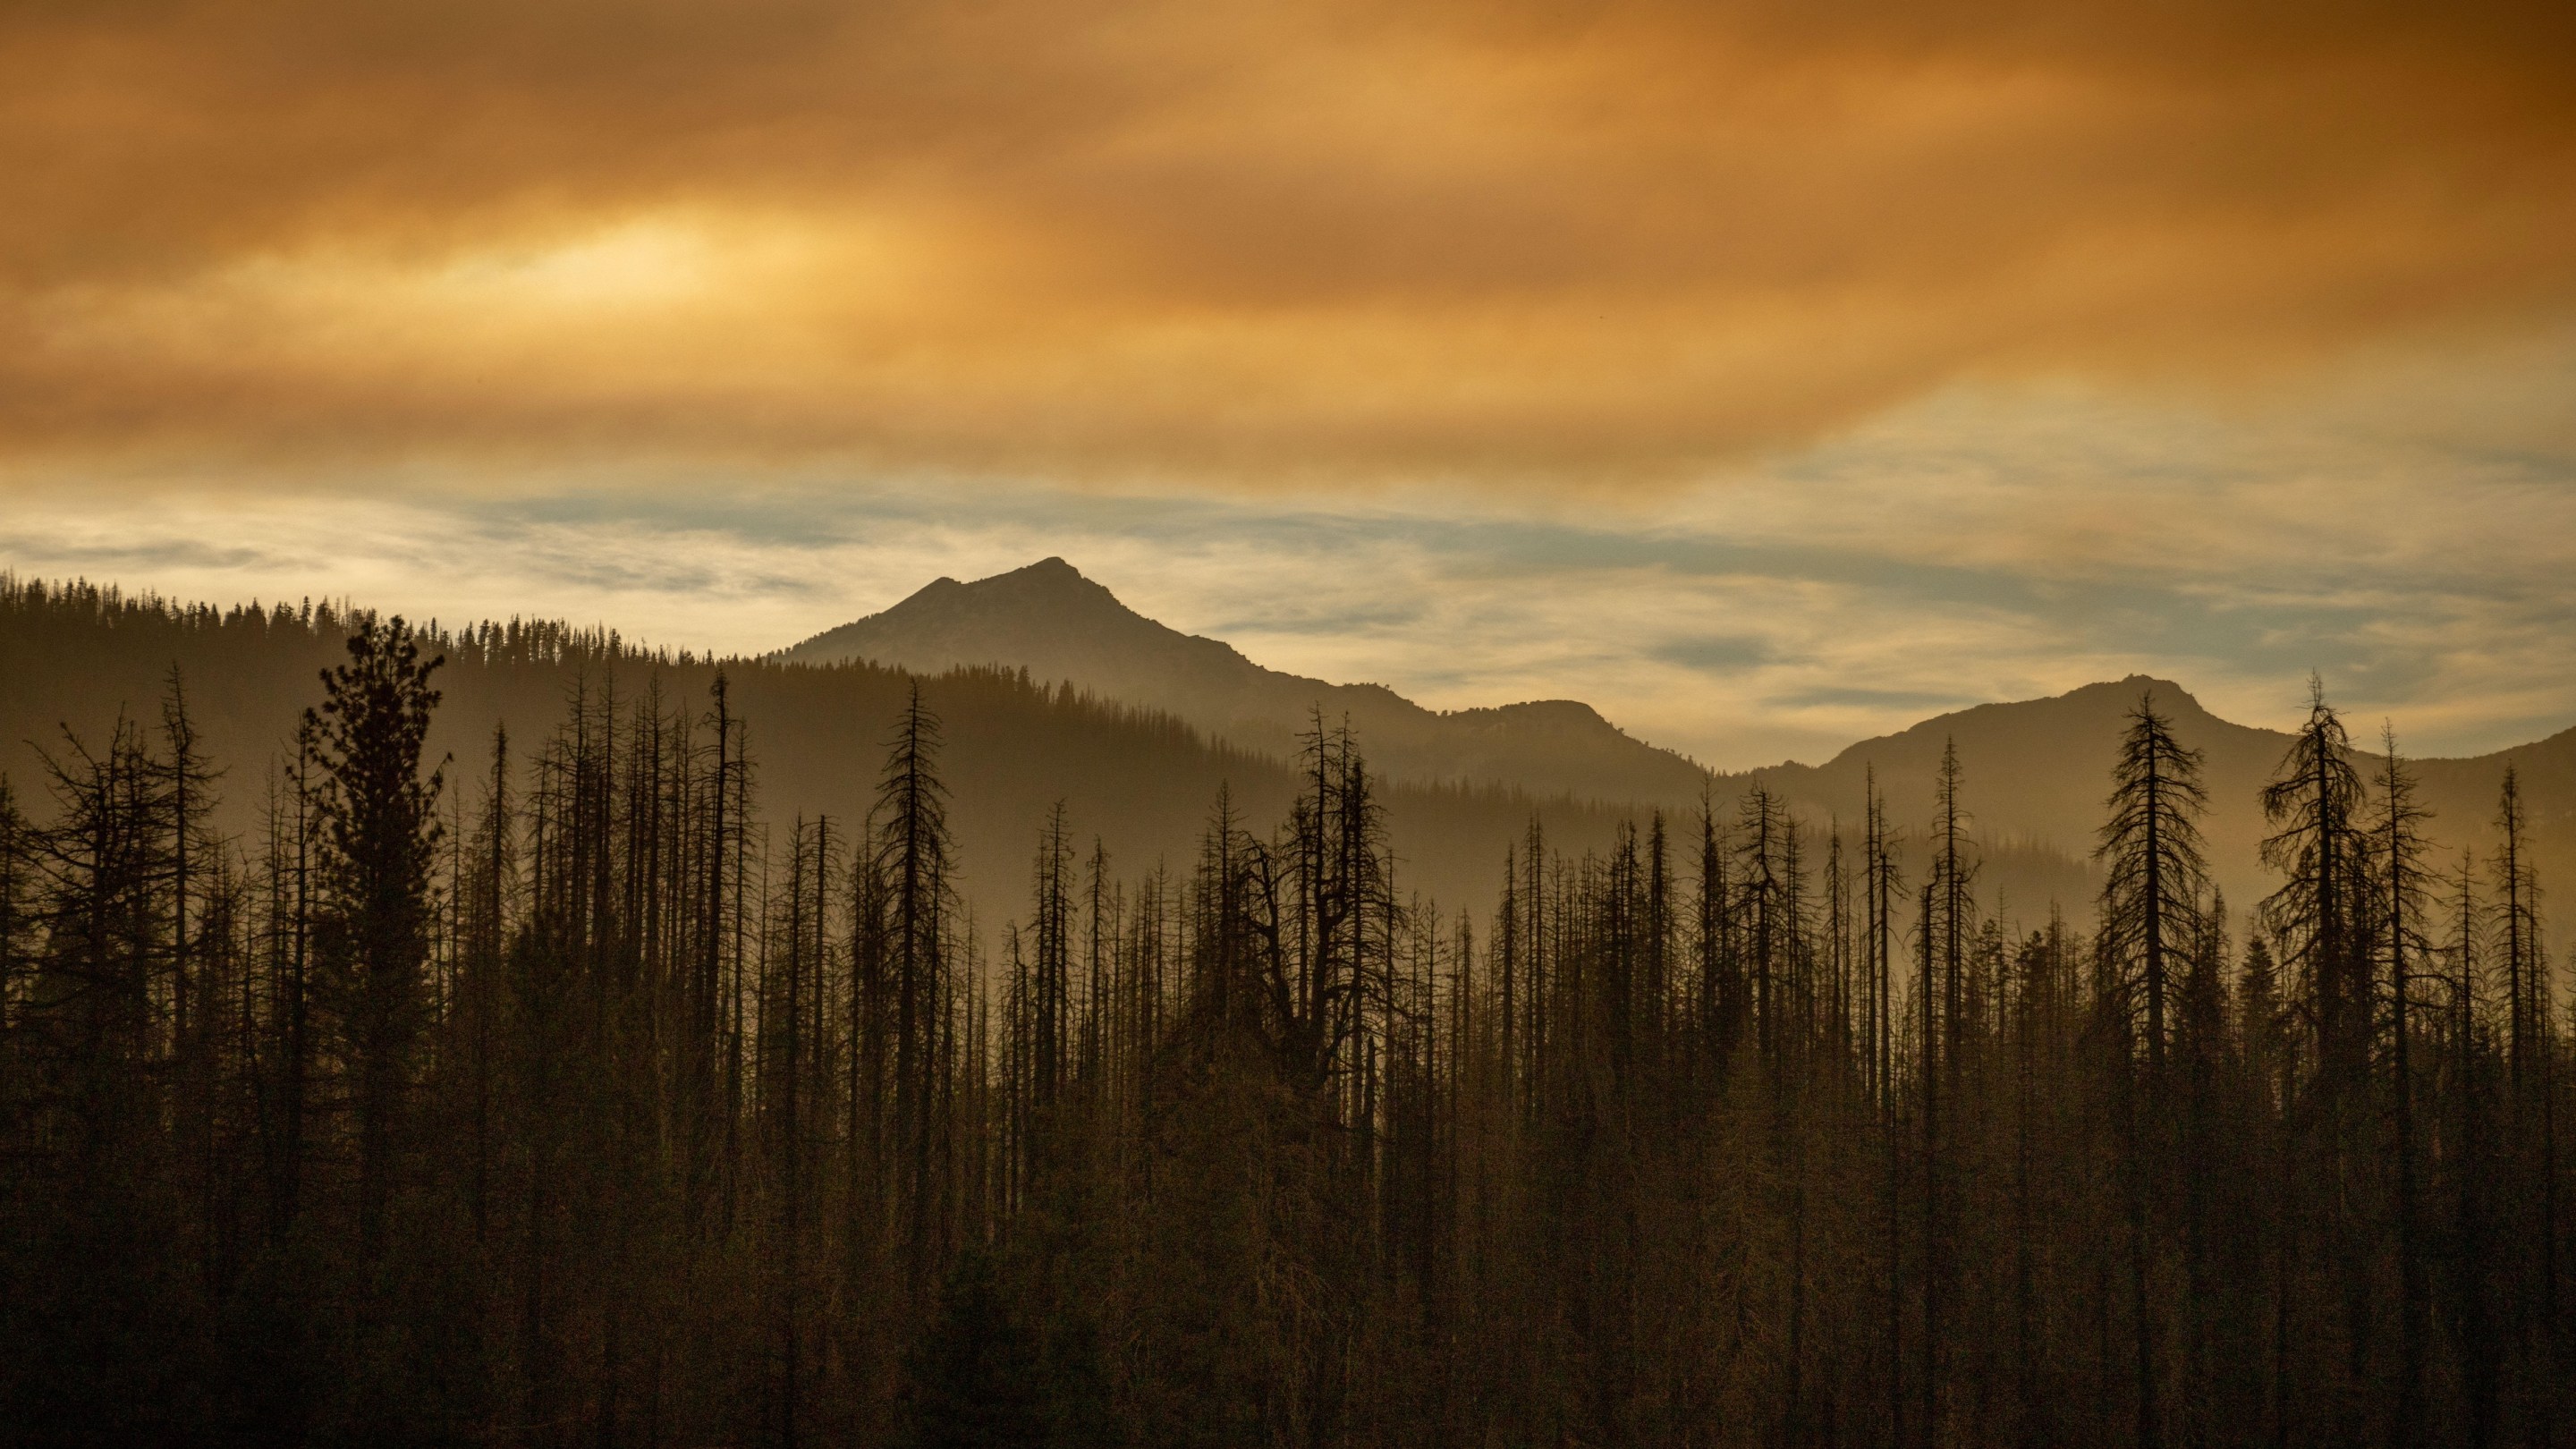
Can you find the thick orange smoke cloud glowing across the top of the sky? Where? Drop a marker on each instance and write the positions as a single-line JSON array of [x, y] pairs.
[[1562, 244]]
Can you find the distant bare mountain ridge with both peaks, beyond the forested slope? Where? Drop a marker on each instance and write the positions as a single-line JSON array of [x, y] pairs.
[[2036, 772]]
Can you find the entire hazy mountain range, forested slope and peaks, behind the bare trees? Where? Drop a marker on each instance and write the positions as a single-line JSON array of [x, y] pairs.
[[1142, 780]]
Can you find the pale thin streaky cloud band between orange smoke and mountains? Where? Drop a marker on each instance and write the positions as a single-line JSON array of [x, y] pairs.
[[1977, 545]]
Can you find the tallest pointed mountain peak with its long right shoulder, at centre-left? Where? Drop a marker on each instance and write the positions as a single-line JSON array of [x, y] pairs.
[[1065, 628]]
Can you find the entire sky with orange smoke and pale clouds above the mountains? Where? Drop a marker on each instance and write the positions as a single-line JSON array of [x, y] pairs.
[[1766, 375]]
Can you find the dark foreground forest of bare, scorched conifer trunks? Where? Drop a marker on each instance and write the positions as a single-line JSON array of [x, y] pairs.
[[571, 1094]]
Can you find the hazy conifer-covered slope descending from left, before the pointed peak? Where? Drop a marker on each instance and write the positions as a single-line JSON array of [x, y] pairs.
[[76, 661]]
